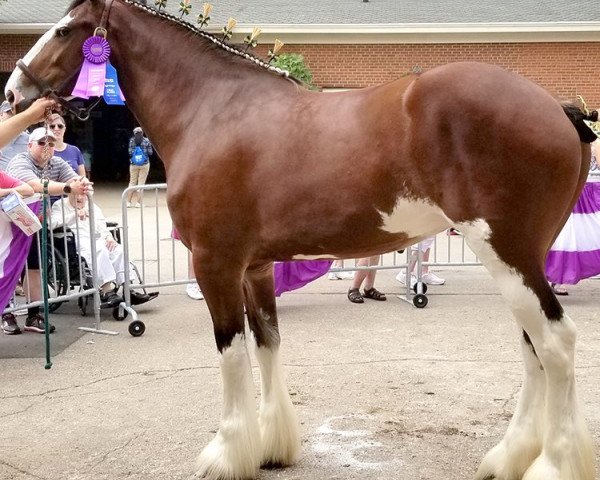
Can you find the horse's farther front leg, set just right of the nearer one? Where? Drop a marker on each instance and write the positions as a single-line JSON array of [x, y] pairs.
[[277, 418]]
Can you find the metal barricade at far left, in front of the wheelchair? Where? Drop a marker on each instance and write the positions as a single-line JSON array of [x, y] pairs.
[[69, 276]]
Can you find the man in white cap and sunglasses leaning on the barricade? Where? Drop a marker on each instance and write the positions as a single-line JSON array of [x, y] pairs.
[[39, 162]]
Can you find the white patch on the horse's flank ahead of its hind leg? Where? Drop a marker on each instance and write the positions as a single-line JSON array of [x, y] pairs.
[[416, 218]]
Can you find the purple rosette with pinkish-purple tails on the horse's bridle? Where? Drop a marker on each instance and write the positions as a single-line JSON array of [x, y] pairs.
[[92, 76]]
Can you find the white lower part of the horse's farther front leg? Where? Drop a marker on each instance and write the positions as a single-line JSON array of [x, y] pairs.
[[279, 426]]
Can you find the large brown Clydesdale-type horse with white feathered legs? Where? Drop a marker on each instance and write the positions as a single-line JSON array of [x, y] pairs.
[[252, 159]]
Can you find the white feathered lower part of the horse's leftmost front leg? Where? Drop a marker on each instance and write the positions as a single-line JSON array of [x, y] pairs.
[[235, 451]]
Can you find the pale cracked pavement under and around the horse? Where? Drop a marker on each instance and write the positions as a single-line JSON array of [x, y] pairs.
[[383, 390]]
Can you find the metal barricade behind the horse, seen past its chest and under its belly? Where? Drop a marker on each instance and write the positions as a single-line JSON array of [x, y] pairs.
[[148, 243]]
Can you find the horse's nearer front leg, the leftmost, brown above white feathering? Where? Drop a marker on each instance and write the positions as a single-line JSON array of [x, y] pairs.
[[235, 452]]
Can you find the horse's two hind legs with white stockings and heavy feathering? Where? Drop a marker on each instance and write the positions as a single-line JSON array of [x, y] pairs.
[[547, 438]]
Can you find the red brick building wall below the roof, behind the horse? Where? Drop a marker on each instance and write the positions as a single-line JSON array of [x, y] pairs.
[[565, 69]]
